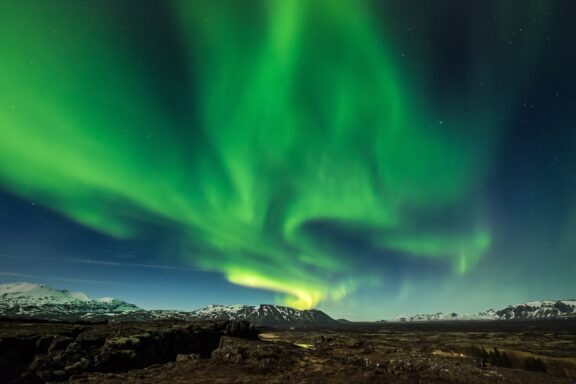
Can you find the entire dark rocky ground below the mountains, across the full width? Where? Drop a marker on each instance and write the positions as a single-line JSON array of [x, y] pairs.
[[234, 352]]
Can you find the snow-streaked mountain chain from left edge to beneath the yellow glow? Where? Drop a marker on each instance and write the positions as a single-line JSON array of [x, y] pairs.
[[37, 301]]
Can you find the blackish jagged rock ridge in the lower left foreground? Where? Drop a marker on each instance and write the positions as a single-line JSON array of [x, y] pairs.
[[44, 356]]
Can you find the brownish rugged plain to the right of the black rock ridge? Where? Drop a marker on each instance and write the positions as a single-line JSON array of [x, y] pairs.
[[399, 354]]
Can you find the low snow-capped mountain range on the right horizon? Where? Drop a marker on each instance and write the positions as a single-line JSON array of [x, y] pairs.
[[534, 310]]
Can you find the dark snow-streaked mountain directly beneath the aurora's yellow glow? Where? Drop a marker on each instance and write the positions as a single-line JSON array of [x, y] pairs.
[[264, 314]]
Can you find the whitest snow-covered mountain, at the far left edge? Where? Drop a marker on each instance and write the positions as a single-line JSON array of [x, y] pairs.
[[26, 300]]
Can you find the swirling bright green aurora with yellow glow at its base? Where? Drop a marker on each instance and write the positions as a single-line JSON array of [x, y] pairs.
[[305, 122]]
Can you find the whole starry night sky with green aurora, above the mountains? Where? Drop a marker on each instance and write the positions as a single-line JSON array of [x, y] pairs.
[[368, 158]]
